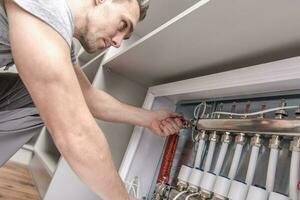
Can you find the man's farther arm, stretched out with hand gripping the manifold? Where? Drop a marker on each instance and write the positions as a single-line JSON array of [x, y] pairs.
[[105, 107]]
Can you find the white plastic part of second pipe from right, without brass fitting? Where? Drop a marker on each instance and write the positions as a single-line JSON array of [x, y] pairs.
[[273, 159]]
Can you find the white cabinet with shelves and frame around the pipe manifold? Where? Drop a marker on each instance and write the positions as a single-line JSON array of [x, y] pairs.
[[193, 41]]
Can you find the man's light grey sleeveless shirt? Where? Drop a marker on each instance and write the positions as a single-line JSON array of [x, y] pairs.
[[56, 13]]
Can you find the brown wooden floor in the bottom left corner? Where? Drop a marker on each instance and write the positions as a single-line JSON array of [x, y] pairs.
[[16, 183]]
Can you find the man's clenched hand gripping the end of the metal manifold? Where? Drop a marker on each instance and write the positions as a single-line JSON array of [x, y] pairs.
[[165, 123]]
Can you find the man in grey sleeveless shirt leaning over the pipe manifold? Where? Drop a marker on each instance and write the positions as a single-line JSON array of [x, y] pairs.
[[36, 35]]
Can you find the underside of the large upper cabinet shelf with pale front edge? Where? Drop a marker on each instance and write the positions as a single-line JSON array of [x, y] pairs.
[[210, 38]]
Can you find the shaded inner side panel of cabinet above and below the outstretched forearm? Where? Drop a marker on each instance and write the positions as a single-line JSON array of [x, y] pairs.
[[118, 135]]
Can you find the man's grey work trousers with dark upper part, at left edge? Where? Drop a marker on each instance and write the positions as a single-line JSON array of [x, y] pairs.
[[19, 119]]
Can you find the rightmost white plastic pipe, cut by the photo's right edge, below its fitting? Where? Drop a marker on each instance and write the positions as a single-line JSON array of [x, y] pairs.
[[294, 175]]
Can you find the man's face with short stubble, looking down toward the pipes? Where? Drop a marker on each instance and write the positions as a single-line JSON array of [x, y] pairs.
[[108, 23]]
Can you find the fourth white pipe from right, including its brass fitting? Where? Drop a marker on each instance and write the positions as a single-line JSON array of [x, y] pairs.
[[240, 142]]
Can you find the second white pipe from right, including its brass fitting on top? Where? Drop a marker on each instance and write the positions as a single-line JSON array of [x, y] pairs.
[[273, 159]]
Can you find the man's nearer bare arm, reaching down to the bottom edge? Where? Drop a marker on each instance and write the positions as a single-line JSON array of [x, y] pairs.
[[43, 61]]
